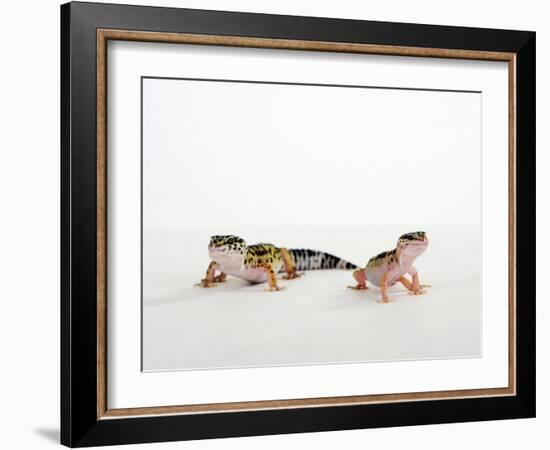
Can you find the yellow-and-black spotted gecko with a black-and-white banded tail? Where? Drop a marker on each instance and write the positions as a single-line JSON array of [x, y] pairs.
[[258, 263]]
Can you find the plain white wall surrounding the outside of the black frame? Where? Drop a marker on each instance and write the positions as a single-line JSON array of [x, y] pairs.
[[29, 334]]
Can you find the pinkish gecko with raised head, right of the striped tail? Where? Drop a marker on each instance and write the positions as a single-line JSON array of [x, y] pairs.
[[388, 268]]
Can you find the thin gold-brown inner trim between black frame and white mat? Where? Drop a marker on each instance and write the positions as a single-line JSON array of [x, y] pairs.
[[103, 36]]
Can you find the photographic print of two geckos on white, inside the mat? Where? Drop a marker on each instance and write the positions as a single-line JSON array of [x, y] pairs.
[[288, 223]]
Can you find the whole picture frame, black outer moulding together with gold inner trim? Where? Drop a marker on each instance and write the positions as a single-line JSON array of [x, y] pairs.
[[86, 418]]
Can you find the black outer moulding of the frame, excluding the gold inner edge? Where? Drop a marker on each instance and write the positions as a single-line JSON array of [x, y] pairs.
[[79, 423]]
